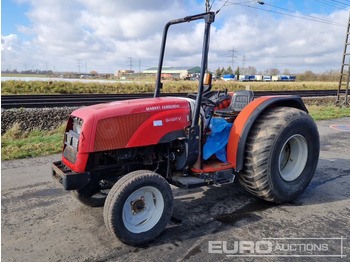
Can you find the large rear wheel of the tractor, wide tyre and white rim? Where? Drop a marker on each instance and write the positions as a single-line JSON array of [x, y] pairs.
[[281, 154]]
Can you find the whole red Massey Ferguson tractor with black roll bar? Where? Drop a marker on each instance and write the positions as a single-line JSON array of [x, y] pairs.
[[124, 154]]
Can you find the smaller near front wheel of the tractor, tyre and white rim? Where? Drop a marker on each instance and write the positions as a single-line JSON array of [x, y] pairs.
[[138, 207]]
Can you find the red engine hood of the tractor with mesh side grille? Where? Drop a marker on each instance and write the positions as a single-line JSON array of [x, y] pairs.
[[131, 123]]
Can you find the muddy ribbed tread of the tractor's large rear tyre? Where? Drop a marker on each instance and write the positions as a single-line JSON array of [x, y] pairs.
[[260, 142]]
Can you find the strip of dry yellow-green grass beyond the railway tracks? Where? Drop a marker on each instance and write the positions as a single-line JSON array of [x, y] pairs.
[[64, 87]]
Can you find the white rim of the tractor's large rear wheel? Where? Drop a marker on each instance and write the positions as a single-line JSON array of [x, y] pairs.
[[293, 157]]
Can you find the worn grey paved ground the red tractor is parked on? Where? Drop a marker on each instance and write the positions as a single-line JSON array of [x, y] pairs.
[[42, 222]]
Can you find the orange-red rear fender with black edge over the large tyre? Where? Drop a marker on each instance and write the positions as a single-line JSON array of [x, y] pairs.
[[245, 120]]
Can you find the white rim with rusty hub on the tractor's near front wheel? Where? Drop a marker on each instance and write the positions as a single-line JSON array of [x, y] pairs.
[[143, 209]]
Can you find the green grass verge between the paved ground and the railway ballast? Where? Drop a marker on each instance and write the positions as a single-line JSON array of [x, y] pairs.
[[16, 144]]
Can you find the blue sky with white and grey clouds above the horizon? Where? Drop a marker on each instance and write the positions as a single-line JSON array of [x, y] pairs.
[[105, 36]]
